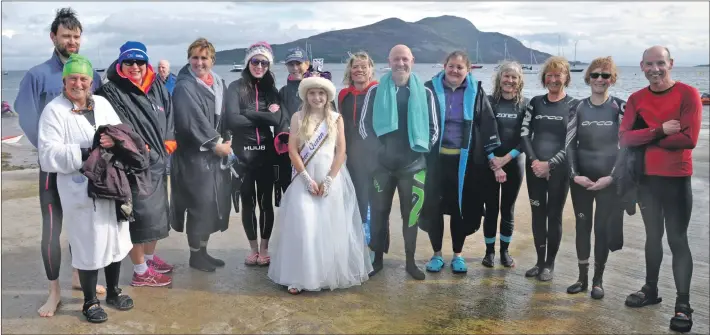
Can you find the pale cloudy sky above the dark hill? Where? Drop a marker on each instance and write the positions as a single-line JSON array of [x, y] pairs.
[[618, 29]]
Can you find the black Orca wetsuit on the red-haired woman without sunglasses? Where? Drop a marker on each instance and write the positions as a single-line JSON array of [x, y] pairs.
[[543, 136]]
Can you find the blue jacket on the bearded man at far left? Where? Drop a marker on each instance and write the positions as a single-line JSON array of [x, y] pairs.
[[39, 86]]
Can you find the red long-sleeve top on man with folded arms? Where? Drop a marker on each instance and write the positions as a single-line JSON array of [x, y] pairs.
[[666, 155]]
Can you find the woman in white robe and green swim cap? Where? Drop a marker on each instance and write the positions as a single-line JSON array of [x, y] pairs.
[[66, 131]]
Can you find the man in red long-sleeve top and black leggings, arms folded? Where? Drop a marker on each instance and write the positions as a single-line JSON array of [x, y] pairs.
[[672, 112]]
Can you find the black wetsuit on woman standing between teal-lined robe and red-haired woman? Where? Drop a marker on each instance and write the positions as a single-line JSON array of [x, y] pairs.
[[501, 197]]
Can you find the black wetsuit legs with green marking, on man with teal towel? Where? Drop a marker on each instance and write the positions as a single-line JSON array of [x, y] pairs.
[[410, 187]]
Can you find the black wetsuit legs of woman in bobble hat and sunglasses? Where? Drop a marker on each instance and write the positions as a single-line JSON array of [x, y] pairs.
[[257, 189]]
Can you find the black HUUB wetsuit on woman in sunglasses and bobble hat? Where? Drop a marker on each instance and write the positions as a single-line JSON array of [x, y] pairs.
[[253, 144]]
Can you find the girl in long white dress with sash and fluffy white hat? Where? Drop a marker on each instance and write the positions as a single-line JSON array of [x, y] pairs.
[[318, 238]]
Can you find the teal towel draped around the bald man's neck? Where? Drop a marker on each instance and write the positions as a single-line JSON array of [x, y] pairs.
[[385, 116]]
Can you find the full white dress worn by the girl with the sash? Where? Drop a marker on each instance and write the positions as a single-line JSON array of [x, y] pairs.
[[318, 242]]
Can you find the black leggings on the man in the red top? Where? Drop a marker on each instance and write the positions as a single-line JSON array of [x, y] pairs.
[[669, 198]]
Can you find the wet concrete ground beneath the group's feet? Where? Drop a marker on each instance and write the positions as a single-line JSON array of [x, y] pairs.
[[241, 299]]
